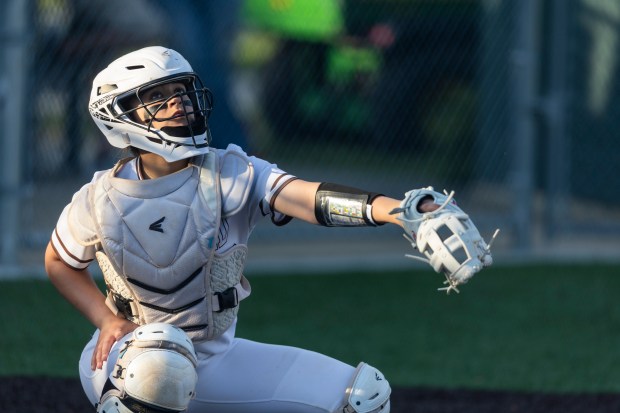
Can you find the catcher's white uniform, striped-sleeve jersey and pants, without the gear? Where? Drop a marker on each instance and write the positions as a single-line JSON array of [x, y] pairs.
[[234, 375]]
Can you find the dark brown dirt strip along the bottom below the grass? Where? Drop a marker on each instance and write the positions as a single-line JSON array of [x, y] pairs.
[[51, 395]]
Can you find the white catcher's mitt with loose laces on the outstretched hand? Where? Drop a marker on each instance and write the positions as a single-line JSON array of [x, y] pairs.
[[446, 238]]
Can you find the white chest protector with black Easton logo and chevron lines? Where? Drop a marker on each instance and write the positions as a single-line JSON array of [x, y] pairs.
[[157, 246]]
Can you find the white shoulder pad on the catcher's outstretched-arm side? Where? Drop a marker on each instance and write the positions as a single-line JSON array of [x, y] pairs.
[[236, 178]]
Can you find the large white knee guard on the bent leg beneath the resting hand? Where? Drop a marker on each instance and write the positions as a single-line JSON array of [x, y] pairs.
[[155, 372]]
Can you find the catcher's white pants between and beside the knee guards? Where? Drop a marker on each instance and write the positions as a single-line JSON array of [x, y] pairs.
[[242, 376]]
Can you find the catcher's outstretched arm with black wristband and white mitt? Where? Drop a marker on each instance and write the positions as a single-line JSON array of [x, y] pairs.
[[436, 227]]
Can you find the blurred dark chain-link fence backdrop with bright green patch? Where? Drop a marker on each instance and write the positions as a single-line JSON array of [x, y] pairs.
[[514, 104]]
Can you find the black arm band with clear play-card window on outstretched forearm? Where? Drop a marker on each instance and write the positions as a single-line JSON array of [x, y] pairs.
[[341, 206]]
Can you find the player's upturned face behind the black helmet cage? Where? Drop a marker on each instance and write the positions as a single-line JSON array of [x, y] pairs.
[[167, 104]]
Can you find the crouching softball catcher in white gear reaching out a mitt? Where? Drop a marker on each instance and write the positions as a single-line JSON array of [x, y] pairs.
[[169, 226]]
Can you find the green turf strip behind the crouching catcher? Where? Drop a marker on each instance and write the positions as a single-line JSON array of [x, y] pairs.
[[544, 328]]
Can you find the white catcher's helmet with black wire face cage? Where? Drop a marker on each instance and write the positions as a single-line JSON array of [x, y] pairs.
[[118, 87]]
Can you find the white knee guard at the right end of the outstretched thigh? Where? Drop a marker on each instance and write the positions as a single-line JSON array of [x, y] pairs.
[[369, 392]]
